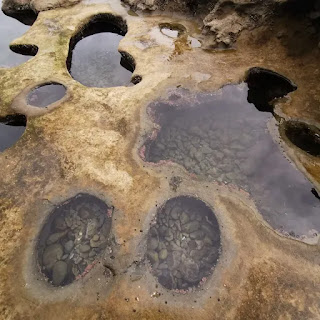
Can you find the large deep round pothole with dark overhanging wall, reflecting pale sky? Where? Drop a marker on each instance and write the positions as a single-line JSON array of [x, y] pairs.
[[94, 59]]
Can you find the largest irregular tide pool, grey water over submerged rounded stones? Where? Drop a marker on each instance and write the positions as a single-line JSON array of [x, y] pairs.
[[222, 137]]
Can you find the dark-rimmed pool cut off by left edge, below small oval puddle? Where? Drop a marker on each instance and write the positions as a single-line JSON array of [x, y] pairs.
[[11, 129]]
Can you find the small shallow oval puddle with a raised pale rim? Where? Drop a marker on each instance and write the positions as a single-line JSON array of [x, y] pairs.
[[46, 94]]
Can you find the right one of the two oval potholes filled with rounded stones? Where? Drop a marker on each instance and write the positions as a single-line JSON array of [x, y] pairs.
[[183, 243]]
